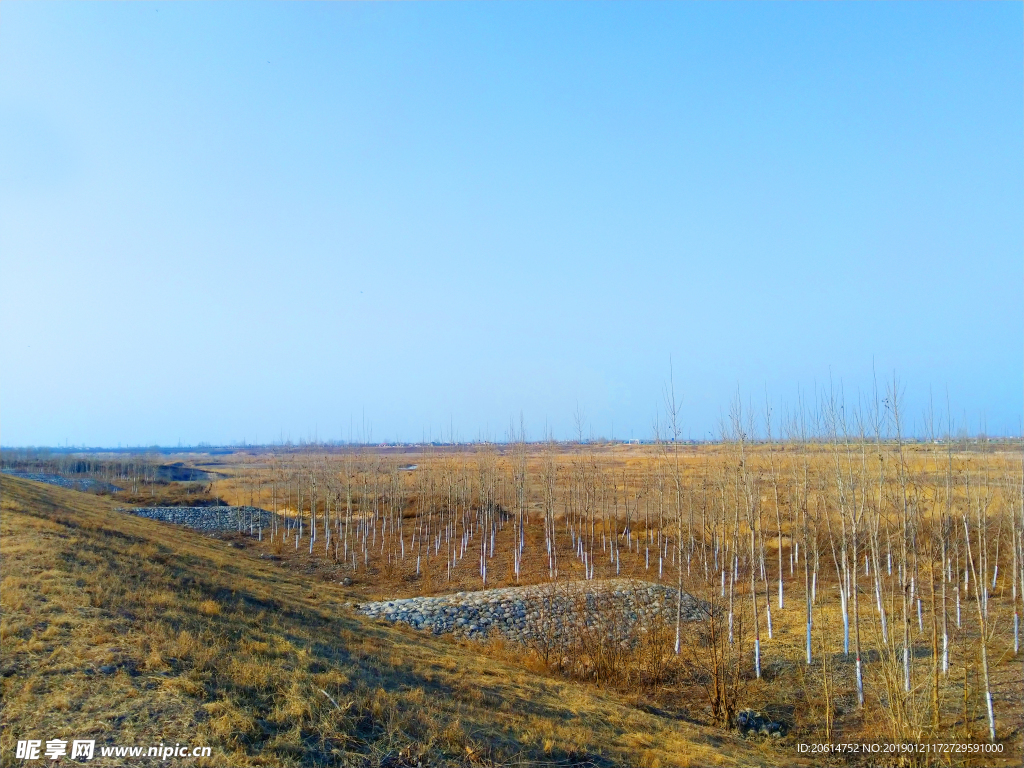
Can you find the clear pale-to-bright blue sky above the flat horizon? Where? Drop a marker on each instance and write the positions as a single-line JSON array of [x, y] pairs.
[[246, 222]]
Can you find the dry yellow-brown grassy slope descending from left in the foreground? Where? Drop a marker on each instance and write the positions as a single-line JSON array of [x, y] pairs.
[[216, 647]]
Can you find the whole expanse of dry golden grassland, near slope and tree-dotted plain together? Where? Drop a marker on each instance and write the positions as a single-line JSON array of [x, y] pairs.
[[251, 641]]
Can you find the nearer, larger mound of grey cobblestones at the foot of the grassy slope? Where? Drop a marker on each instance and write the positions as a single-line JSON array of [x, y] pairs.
[[619, 608]]
